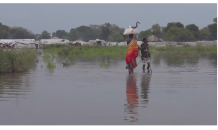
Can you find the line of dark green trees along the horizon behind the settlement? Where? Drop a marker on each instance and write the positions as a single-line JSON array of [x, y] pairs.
[[174, 31]]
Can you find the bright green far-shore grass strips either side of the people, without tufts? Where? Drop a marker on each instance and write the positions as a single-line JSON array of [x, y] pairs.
[[118, 51]]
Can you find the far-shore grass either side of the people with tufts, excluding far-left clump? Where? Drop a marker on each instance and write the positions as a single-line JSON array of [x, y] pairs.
[[67, 55]]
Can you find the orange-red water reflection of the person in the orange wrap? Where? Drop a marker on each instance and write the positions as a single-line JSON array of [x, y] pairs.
[[132, 99]]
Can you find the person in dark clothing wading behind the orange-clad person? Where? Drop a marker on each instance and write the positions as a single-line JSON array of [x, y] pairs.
[[145, 54]]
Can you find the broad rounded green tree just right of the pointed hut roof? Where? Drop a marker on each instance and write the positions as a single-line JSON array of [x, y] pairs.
[[179, 35]]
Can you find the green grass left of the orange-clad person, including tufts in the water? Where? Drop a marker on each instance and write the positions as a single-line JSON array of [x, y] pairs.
[[67, 55]]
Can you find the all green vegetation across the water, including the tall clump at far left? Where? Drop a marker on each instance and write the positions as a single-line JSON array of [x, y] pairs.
[[18, 60]]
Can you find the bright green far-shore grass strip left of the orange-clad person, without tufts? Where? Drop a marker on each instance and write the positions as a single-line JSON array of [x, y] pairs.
[[86, 51]]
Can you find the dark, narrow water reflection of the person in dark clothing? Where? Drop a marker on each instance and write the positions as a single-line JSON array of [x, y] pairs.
[[145, 83]]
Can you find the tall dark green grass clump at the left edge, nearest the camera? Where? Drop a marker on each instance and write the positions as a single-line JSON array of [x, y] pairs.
[[17, 60]]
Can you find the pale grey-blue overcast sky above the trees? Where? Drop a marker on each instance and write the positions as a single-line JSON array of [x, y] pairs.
[[65, 16]]
